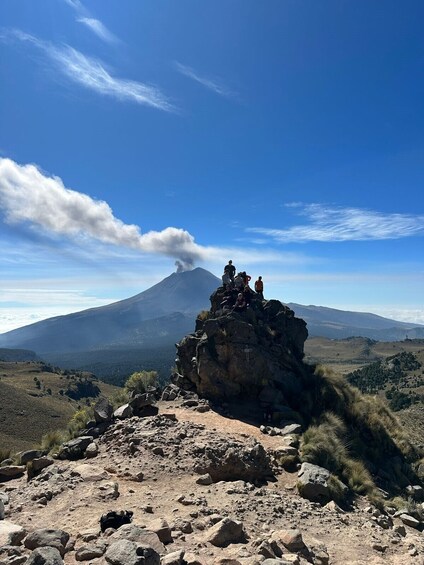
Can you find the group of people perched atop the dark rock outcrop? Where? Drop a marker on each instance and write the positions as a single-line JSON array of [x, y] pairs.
[[238, 293]]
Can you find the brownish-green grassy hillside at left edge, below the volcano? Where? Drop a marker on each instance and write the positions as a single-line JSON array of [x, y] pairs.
[[36, 399]]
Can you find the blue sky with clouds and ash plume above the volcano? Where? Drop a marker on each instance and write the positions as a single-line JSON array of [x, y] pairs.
[[139, 135]]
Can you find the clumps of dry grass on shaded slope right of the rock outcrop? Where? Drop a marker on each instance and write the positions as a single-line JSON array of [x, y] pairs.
[[353, 435]]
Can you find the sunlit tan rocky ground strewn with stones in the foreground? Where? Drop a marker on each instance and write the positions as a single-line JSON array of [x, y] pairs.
[[204, 489]]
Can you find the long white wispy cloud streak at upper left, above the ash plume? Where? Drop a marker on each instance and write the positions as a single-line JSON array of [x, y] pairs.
[[93, 74]]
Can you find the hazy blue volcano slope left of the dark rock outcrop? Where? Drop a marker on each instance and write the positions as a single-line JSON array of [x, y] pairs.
[[175, 301]]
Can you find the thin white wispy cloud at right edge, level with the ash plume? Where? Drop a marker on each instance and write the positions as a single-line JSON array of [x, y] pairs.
[[332, 224]]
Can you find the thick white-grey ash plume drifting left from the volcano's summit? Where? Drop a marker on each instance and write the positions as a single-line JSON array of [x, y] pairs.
[[30, 197]]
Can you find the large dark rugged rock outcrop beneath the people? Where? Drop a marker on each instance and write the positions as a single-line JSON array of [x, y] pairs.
[[249, 354]]
